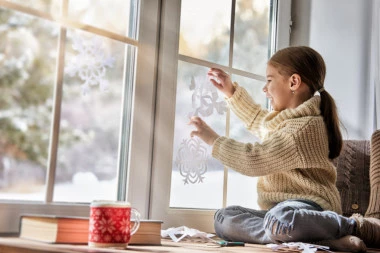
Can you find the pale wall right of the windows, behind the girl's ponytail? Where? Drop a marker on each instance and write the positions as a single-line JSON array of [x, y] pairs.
[[340, 31]]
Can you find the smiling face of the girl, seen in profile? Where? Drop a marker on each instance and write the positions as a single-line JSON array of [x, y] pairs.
[[277, 89]]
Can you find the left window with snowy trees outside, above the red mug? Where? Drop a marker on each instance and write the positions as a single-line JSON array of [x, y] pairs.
[[67, 81]]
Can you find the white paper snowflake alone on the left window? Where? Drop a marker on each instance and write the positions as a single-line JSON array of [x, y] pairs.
[[90, 63]]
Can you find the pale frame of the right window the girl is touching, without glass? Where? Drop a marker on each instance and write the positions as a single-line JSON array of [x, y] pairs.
[[165, 111]]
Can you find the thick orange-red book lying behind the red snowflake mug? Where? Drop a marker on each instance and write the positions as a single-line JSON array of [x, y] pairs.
[[74, 230]]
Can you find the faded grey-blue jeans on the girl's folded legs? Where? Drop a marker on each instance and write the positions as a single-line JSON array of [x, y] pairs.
[[289, 221]]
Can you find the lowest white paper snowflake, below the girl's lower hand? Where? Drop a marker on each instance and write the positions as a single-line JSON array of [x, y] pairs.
[[192, 160]]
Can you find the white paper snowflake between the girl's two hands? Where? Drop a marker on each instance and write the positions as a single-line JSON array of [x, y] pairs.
[[205, 98]]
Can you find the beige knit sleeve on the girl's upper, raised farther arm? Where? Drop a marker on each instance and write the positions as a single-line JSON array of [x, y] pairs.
[[251, 113]]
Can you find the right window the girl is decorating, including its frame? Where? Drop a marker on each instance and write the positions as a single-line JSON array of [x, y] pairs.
[[237, 36]]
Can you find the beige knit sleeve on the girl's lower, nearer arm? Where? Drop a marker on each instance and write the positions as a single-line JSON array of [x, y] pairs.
[[278, 153]]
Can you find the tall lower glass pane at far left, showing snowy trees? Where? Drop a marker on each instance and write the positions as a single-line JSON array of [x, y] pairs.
[[27, 68]]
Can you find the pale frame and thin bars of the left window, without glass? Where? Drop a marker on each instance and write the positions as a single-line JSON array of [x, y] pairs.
[[134, 99]]
